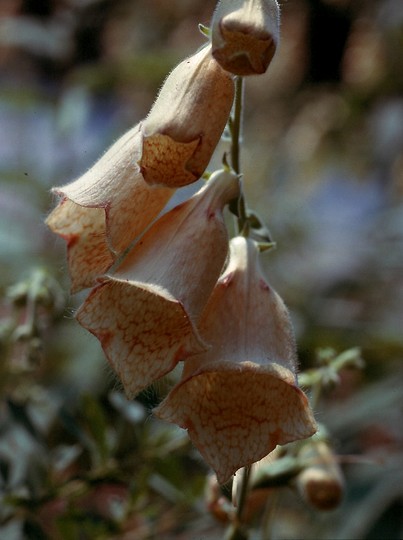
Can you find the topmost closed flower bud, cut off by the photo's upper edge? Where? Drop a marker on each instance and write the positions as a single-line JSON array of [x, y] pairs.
[[245, 34]]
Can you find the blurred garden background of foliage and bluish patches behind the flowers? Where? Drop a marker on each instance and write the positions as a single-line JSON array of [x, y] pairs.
[[322, 158]]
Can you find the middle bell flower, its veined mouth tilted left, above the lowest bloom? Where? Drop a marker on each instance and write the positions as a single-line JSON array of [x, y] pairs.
[[145, 313]]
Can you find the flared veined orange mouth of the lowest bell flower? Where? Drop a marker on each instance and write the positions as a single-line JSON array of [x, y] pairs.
[[236, 415]]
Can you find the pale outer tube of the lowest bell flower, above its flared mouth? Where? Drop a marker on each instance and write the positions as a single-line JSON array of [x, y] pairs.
[[248, 312]]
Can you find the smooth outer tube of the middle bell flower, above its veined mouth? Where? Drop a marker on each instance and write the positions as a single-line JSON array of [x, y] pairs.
[[184, 251]]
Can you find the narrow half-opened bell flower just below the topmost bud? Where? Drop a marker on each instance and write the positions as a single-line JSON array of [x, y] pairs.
[[186, 121]]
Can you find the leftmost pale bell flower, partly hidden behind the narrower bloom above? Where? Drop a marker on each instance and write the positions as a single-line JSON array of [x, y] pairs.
[[104, 210]]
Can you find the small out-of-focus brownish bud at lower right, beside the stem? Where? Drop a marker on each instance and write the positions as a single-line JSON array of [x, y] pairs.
[[321, 484]]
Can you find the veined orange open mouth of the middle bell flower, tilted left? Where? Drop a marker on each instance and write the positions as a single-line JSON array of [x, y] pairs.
[[143, 331]]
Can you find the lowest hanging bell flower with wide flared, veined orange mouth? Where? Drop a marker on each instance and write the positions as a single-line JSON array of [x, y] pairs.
[[240, 398]]
